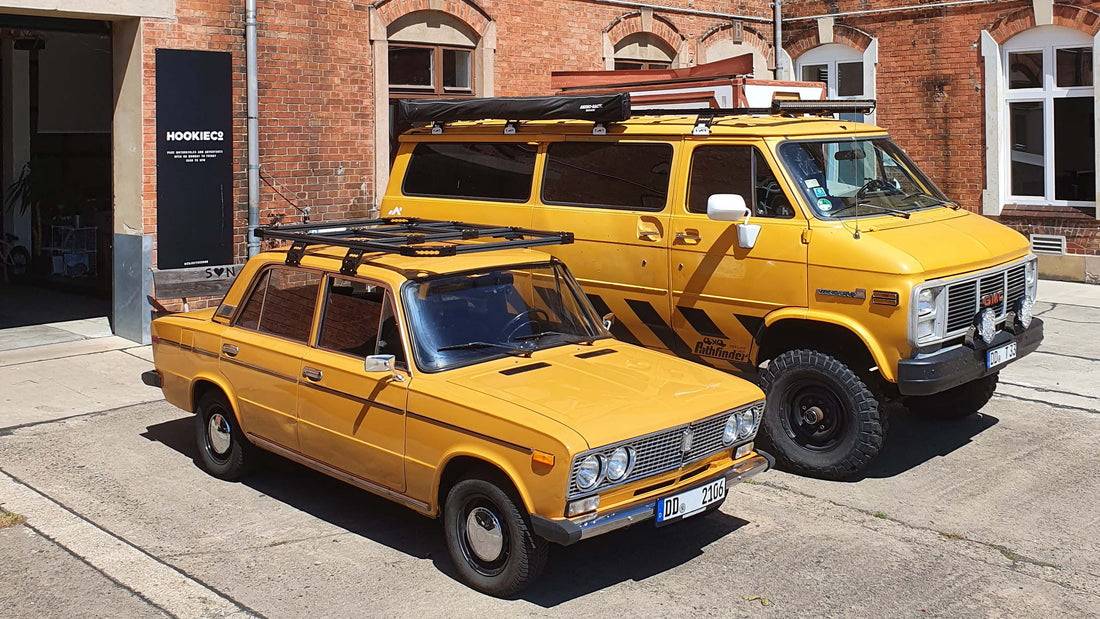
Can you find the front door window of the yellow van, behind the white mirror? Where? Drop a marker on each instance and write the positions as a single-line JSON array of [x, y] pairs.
[[736, 170]]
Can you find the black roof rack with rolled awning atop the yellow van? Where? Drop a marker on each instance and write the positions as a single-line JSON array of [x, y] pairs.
[[600, 109]]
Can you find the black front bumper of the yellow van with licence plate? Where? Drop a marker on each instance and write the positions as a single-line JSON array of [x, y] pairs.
[[944, 370]]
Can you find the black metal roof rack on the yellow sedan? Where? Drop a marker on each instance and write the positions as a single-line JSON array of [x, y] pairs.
[[409, 237]]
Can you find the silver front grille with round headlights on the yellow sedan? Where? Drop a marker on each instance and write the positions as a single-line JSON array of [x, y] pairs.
[[662, 451]]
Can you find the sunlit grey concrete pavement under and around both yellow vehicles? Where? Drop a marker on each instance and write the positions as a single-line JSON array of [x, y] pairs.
[[991, 516]]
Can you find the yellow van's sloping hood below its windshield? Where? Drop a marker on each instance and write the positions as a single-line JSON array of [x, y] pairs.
[[940, 242]]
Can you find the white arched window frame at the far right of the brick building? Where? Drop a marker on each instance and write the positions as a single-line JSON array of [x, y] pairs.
[[1047, 40]]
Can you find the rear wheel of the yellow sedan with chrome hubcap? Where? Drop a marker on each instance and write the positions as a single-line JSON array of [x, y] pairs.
[[224, 450]]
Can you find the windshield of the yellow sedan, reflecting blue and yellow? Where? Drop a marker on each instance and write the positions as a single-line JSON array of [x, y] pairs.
[[474, 317]]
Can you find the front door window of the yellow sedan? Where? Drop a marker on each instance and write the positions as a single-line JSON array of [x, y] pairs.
[[350, 319]]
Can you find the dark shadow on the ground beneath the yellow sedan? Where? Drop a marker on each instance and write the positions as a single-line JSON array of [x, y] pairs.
[[571, 572]]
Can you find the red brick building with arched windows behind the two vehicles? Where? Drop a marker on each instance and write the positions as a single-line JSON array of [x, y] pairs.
[[955, 81]]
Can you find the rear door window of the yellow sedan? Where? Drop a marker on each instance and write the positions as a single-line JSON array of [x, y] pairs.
[[283, 304]]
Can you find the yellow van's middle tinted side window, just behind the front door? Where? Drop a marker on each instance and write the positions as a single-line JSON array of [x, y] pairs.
[[608, 175]]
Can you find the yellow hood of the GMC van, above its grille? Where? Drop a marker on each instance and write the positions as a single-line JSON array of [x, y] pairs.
[[949, 242]]
